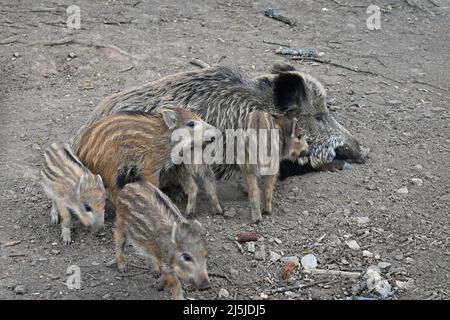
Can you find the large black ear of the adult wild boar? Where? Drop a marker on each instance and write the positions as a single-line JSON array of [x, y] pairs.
[[289, 89]]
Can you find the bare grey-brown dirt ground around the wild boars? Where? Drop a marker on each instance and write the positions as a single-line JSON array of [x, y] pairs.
[[400, 111]]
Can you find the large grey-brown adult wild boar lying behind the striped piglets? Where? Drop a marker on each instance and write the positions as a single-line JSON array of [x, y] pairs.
[[224, 98]]
